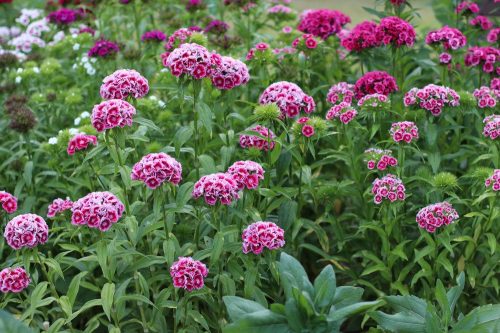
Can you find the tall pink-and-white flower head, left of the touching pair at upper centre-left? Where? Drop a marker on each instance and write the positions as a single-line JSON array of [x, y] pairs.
[[191, 59]]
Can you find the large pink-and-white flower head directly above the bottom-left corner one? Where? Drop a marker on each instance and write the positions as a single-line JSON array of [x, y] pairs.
[[26, 230]]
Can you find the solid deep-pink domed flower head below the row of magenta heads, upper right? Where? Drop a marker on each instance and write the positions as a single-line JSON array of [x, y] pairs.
[[375, 82]]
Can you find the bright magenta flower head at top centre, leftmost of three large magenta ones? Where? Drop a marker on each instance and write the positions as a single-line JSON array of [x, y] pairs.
[[323, 22]]
